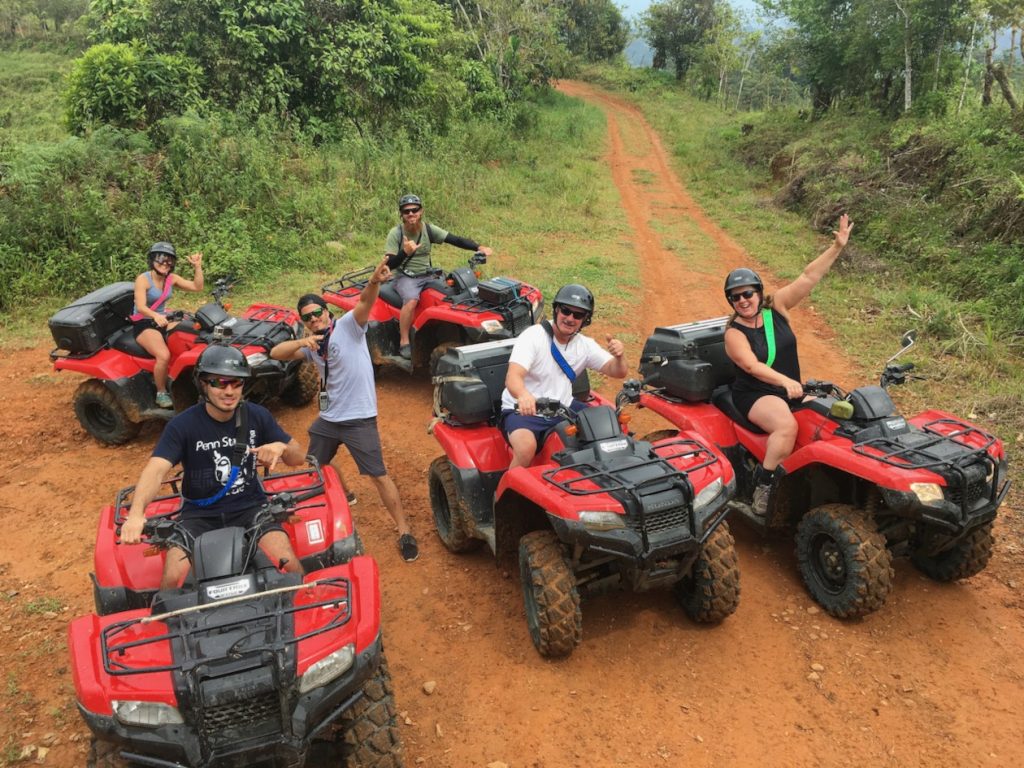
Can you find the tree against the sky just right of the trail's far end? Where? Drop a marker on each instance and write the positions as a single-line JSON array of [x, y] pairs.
[[675, 29]]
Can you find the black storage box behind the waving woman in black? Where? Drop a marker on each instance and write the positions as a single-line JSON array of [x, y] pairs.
[[689, 361]]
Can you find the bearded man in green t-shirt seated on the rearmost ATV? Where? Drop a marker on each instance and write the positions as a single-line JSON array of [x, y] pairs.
[[408, 251]]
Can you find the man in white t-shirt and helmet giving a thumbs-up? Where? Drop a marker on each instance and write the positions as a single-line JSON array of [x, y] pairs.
[[545, 361]]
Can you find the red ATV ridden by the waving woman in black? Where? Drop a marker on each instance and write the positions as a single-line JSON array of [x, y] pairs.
[[863, 485]]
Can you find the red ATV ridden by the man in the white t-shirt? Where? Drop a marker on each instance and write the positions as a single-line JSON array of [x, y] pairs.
[[596, 509]]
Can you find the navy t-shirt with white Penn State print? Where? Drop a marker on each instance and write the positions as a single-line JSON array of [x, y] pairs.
[[203, 447]]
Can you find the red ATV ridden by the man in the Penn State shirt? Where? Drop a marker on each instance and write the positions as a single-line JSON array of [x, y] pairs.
[[245, 665]]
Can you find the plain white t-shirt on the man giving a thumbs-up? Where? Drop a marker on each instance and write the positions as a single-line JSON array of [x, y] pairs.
[[544, 377]]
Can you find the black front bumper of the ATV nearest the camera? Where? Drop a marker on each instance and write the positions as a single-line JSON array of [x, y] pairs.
[[238, 744]]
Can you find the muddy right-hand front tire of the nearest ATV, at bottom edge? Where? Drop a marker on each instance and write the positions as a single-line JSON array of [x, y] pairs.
[[369, 737]]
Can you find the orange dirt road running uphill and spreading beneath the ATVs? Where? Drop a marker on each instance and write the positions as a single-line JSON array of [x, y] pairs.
[[935, 678]]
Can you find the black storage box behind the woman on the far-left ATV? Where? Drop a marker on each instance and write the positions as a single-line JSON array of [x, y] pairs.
[[84, 326]]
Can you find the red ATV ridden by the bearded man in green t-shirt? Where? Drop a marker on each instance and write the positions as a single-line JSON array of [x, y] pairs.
[[455, 309]]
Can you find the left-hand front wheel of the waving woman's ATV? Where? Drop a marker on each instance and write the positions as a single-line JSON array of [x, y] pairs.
[[844, 561]]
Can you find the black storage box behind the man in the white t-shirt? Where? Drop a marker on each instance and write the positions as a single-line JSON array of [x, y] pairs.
[[470, 381]]
